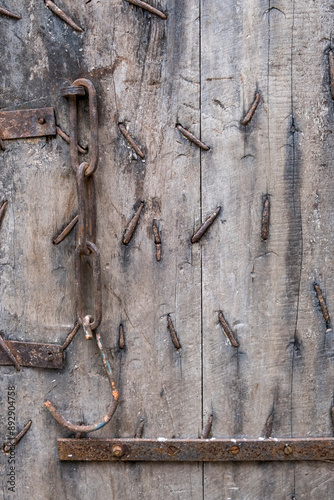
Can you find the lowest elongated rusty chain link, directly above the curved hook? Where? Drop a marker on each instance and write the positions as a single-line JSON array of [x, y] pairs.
[[79, 282]]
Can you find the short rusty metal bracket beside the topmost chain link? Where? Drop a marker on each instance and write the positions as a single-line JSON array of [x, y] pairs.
[[27, 123]]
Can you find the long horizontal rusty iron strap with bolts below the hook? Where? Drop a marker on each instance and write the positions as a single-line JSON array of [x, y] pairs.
[[195, 450]]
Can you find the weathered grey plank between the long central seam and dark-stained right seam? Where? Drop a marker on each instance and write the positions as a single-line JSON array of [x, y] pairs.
[[247, 51]]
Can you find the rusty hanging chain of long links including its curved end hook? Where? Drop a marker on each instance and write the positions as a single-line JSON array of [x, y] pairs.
[[86, 242]]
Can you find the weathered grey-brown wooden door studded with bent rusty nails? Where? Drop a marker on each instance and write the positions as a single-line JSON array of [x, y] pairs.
[[201, 68]]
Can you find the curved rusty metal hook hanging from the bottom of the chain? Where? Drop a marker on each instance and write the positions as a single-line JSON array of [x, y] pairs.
[[112, 407]]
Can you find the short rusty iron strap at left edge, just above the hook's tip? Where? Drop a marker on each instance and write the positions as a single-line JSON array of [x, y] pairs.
[[34, 355]]
